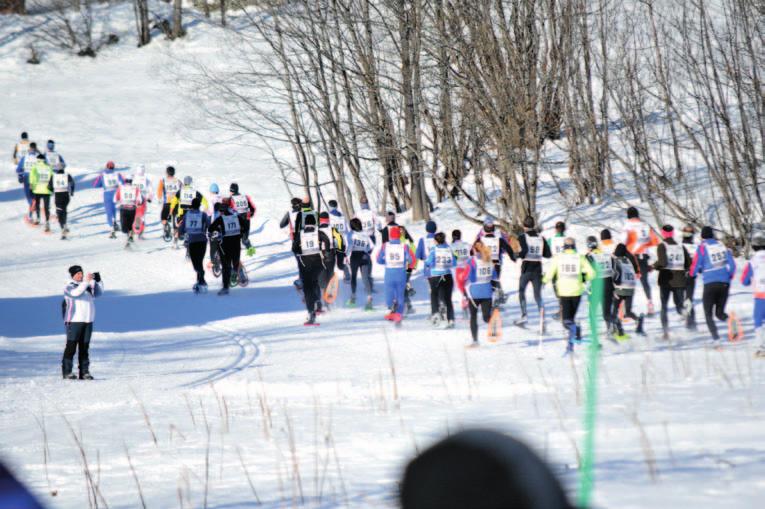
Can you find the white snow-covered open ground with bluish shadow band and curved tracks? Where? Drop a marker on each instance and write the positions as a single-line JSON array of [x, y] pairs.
[[231, 402]]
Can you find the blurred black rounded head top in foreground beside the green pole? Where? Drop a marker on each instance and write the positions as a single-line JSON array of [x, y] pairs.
[[480, 469]]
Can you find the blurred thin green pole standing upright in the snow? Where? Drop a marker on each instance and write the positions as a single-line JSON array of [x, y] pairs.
[[586, 480]]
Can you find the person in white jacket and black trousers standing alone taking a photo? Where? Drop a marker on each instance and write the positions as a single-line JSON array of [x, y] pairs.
[[79, 312]]
